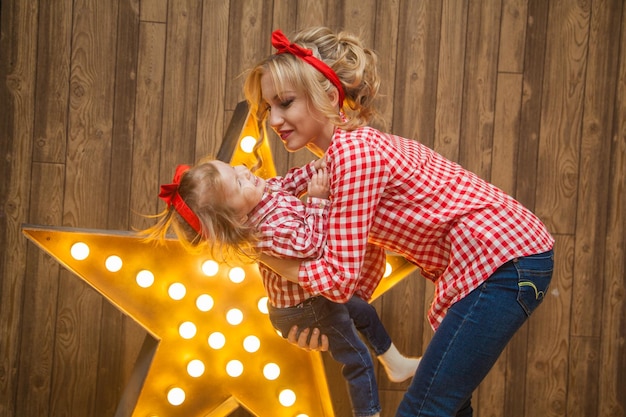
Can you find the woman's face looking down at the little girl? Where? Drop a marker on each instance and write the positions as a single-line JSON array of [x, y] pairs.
[[297, 124]]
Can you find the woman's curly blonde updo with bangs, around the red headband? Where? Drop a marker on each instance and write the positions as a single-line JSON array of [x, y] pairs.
[[354, 64]]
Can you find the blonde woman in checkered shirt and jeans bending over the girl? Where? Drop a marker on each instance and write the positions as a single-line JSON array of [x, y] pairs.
[[490, 259]]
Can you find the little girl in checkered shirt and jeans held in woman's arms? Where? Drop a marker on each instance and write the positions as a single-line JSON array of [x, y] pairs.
[[236, 213]]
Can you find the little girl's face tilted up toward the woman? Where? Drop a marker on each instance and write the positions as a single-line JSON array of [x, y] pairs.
[[242, 189]]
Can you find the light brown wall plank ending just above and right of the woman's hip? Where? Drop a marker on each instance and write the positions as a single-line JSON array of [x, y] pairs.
[[561, 116]]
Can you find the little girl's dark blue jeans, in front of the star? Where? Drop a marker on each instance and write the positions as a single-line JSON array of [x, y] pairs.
[[339, 322]]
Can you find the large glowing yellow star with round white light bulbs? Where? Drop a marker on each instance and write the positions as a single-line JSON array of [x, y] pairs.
[[213, 348]]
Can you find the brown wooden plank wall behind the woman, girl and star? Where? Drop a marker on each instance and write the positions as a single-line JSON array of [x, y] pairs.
[[100, 99]]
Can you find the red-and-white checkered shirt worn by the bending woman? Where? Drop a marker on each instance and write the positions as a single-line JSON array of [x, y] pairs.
[[401, 195]]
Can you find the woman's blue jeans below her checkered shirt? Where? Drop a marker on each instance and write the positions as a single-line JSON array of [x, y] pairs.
[[472, 336]]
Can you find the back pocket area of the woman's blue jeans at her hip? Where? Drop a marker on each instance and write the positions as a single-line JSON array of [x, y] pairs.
[[534, 276]]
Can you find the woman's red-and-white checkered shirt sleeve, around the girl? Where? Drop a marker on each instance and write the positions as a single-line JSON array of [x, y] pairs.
[[358, 177]]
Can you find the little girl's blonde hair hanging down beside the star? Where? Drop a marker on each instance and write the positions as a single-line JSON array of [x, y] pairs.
[[224, 234]]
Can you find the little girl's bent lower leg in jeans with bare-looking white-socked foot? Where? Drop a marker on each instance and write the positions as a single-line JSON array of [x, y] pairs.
[[397, 366]]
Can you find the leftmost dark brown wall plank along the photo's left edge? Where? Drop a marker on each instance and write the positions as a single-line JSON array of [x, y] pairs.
[[18, 62]]
